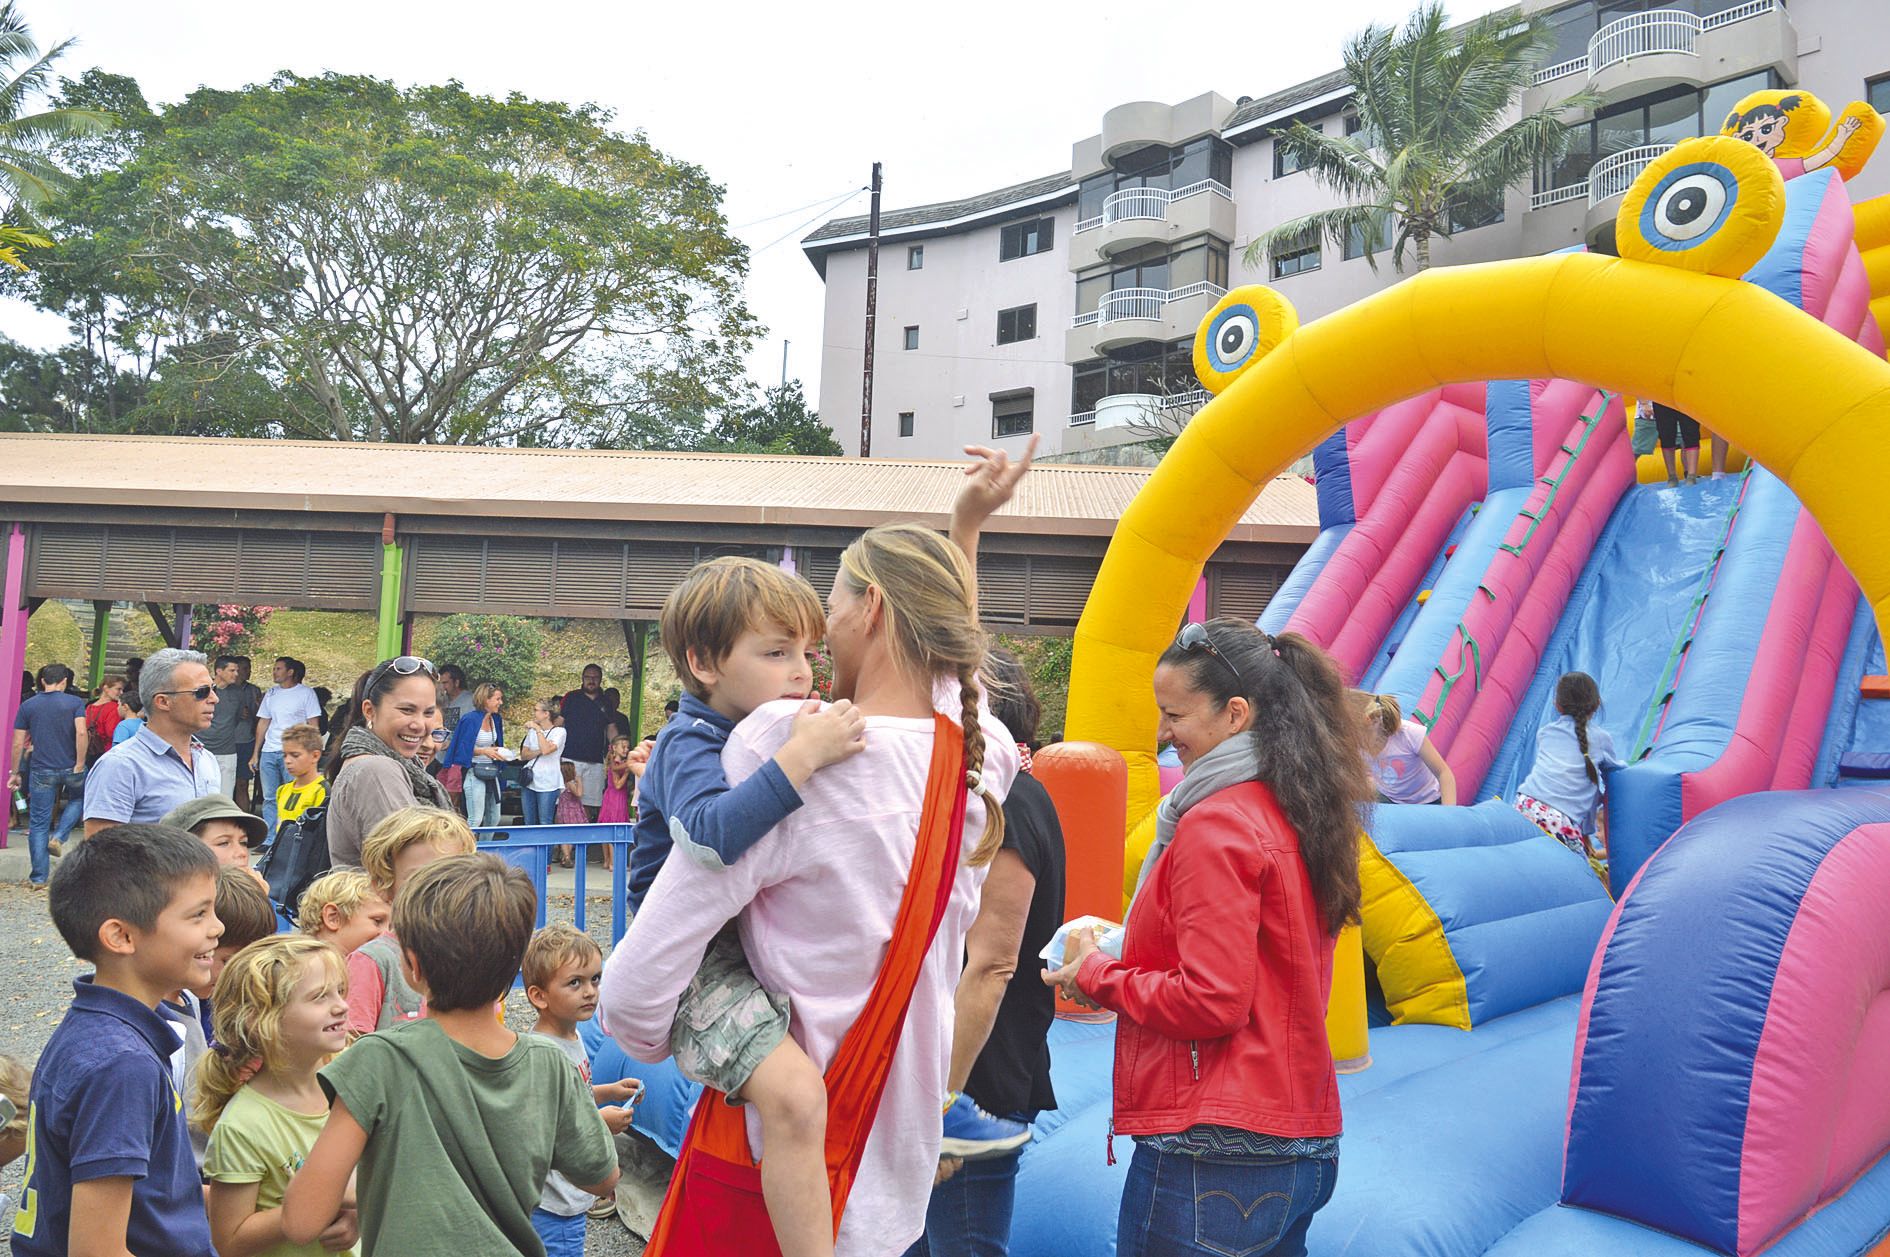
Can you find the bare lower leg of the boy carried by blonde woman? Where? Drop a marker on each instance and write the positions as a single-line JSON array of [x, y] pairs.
[[789, 1095]]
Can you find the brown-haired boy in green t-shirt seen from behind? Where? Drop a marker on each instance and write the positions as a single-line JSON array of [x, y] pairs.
[[419, 1107]]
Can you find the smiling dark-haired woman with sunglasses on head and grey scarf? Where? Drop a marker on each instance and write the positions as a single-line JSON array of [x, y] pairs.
[[375, 757]]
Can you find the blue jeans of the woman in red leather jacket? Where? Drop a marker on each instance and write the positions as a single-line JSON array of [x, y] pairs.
[[1237, 1207]]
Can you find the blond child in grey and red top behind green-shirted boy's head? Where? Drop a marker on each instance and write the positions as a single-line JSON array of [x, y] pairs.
[[404, 844]]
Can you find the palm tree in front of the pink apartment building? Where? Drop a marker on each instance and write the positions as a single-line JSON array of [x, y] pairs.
[[1432, 139]]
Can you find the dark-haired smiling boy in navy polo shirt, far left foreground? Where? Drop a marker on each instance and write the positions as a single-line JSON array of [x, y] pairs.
[[109, 1158]]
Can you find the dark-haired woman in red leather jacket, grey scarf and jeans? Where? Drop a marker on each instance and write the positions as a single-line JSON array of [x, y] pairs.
[[1222, 1065]]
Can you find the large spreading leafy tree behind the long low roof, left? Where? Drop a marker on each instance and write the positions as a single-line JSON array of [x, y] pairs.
[[341, 258]]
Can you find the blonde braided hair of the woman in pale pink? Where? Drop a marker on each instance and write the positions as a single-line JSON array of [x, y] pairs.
[[931, 608]]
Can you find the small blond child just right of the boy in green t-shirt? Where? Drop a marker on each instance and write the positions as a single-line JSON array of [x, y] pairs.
[[562, 971]]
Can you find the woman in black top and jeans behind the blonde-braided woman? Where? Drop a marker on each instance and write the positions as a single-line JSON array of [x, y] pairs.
[[1001, 1058]]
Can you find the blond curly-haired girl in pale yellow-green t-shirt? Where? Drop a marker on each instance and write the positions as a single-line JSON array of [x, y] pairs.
[[281, 1014]]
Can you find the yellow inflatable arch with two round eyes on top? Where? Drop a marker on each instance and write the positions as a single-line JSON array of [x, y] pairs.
[[1668, 320]]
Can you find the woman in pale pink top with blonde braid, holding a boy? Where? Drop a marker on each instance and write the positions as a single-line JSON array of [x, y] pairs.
[[817, 901]]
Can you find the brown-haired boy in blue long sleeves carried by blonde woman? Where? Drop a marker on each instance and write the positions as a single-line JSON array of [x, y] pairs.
[[742, 634]]
